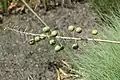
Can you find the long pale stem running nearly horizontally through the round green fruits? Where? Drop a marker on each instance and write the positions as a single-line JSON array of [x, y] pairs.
[[67, 38]]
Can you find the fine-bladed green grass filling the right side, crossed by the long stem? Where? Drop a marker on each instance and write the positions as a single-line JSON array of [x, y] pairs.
[[101, 61]]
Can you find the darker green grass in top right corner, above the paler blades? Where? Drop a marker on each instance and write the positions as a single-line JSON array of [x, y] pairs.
[[106, 9]]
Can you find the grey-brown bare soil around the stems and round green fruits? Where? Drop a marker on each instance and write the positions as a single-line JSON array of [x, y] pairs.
[[21, 61]]
